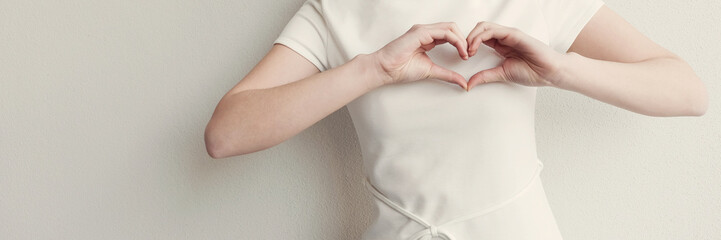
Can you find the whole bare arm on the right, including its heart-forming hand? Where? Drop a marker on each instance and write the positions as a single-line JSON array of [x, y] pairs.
[[609, 61]]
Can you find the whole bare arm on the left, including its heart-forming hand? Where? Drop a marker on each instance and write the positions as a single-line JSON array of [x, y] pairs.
[[285, 94]]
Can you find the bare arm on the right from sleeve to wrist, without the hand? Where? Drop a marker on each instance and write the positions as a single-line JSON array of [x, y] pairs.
[[613, 62]]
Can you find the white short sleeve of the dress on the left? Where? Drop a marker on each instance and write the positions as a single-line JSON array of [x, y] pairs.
[[306, 33]]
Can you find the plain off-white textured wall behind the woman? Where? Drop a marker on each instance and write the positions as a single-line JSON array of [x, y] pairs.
[[103, 106]]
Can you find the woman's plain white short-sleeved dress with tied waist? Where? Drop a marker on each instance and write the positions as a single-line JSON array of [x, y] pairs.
[[443, 163]]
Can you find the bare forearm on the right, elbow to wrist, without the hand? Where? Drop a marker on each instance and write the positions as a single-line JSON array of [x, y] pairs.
[[655, 87]]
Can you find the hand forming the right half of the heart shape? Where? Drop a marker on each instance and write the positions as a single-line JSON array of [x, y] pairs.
[[528, 61]]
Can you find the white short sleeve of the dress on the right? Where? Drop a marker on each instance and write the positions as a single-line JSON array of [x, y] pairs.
[[566, 18]]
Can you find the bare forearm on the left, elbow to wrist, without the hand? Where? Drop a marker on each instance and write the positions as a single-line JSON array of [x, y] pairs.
[[257, 119]]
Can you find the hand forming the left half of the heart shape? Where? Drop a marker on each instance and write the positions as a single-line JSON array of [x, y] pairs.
[[404, 59]]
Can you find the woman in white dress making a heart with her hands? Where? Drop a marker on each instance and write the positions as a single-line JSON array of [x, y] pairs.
[[443, 161]]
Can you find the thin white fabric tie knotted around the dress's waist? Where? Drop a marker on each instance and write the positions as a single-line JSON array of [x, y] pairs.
[[432, 231]]
